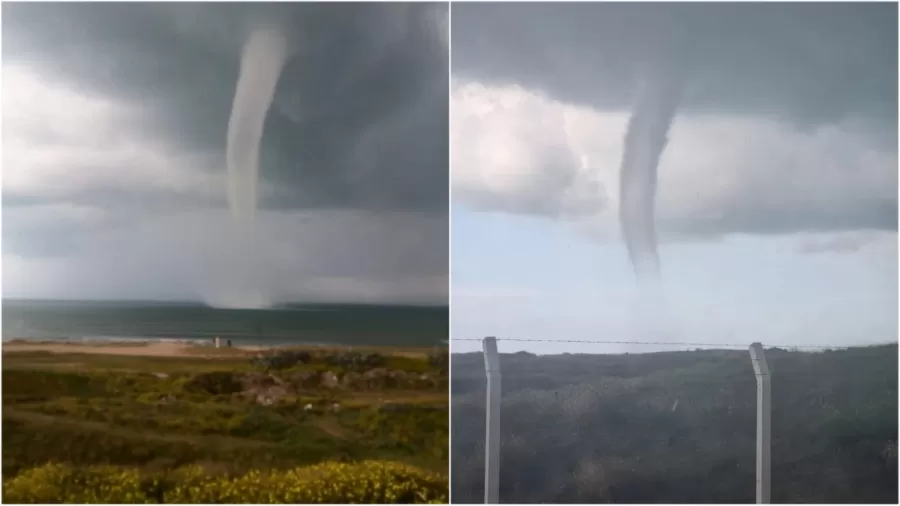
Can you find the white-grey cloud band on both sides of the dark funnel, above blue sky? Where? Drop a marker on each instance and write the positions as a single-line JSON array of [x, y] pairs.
[[520, 152]]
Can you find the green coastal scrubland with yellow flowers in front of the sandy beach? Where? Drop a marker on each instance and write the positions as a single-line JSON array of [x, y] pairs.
[[238, 418]]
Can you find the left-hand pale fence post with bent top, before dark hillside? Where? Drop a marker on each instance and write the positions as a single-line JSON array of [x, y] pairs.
[[492, 422]]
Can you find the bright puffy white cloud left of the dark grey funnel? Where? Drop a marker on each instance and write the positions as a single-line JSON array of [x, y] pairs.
[[512, 152]]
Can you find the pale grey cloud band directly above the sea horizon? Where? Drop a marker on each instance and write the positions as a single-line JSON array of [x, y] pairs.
[[311, 255]]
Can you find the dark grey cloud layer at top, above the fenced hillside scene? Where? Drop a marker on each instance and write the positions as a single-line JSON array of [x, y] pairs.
[[809, 63]]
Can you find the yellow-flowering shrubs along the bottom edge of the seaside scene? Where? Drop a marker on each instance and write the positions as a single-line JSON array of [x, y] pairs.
[[364, 482]]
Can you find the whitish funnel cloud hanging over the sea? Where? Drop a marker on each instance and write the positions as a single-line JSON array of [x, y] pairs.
[[264, 55]]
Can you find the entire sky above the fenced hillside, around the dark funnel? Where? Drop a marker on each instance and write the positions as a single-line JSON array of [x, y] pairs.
[[777, 193]]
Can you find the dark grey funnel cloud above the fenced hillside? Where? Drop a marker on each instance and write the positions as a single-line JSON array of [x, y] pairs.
[[645, 140]]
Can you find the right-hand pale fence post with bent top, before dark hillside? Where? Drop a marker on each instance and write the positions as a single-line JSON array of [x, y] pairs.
[[763, 424]]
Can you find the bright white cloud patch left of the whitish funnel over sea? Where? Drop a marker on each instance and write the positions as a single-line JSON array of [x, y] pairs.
[[58, 140]]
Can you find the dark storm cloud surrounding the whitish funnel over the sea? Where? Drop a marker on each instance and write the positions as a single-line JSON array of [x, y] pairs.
[[355, 68]]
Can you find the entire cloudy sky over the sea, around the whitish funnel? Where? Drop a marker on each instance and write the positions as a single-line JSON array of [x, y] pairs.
[[114, 126]]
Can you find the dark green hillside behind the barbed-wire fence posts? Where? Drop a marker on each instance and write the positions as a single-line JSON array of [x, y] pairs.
[[680, 427]]
